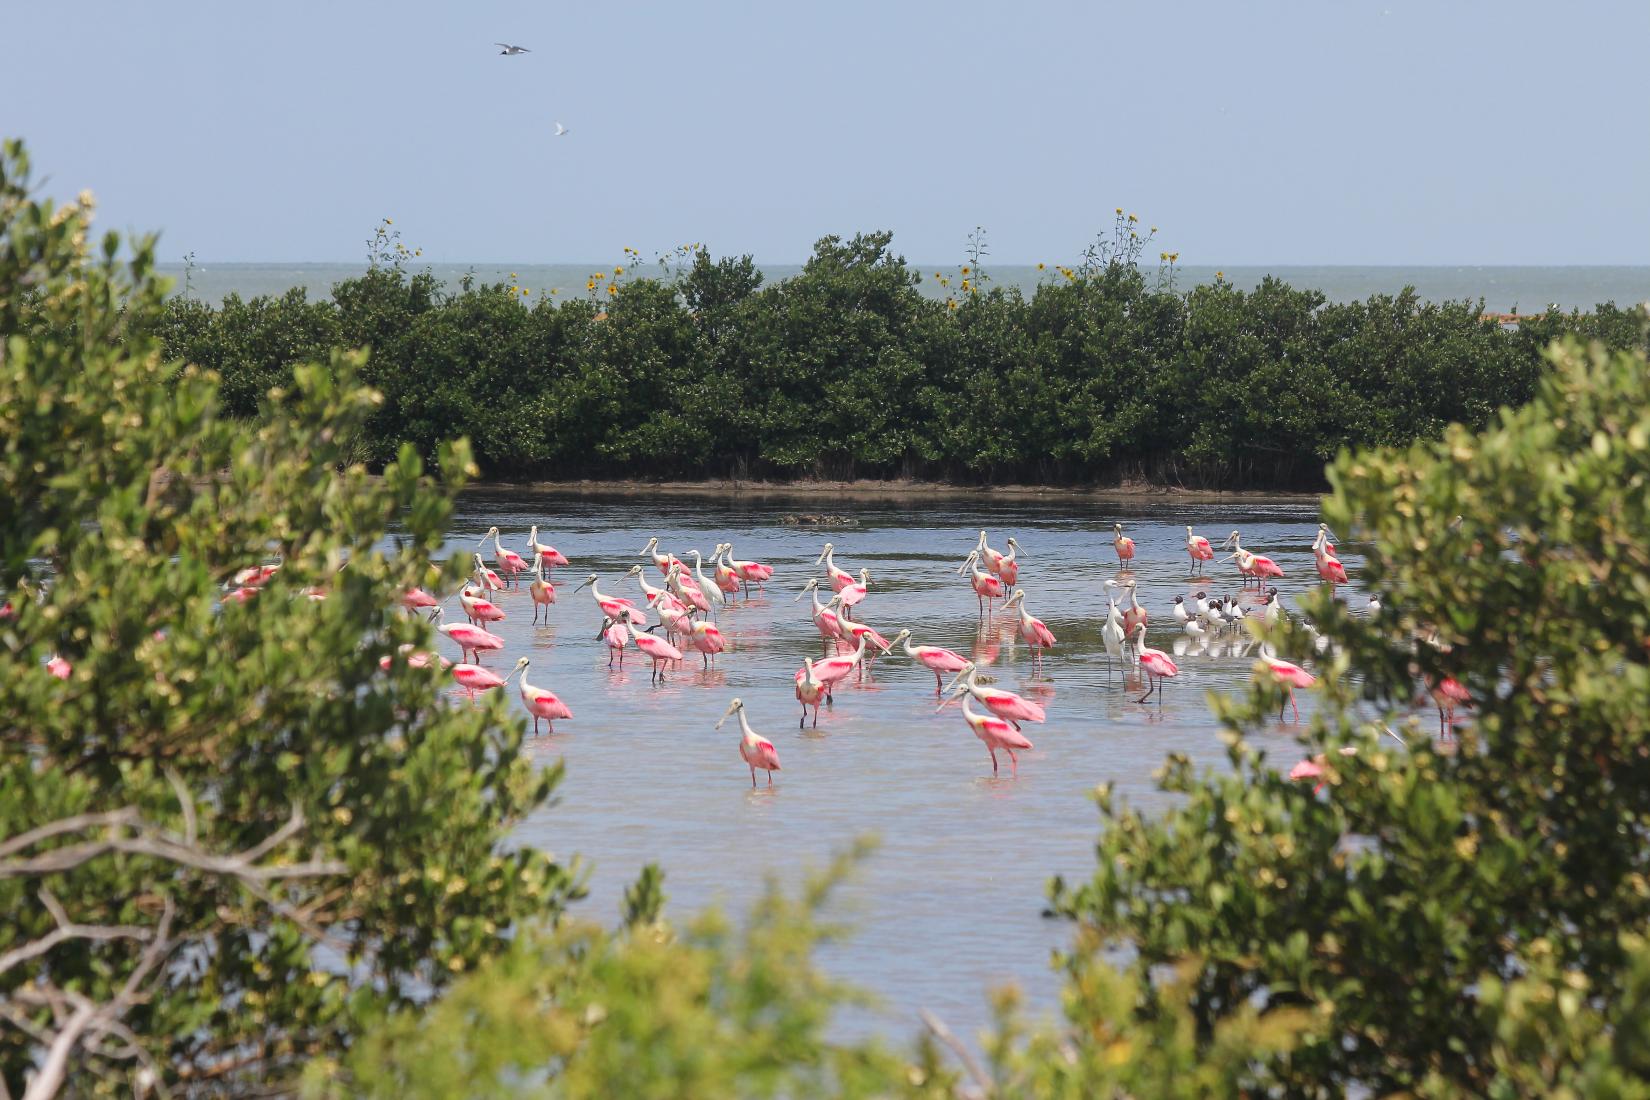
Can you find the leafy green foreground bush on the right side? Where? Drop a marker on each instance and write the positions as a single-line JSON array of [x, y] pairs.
[[1433, 903]]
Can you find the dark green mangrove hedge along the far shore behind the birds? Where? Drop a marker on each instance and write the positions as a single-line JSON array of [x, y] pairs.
[[849, 370]]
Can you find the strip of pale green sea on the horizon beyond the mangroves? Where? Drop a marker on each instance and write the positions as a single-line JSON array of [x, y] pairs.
[[1502, 289]]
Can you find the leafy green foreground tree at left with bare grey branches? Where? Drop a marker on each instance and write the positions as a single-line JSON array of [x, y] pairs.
[[200, 794]]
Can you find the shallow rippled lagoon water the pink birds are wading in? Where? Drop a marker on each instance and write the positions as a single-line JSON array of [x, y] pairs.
[[951, 905]]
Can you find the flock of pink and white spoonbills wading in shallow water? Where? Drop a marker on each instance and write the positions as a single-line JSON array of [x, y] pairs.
[[684, 606]]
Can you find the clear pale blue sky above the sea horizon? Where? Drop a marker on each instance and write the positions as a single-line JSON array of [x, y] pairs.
[[1273, 133]]
